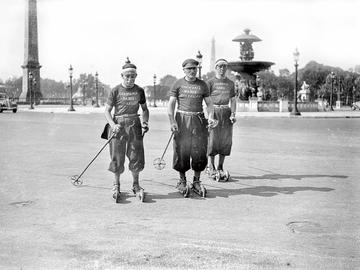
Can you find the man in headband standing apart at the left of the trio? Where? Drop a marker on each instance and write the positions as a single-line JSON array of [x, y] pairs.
[[126, 99]]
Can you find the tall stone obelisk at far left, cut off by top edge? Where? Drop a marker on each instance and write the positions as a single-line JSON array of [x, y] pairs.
[[31, 59]]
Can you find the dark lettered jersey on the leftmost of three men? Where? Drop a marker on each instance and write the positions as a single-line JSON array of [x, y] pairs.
[[126, 100]]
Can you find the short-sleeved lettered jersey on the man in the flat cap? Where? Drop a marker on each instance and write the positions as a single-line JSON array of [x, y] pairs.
[[189, 94]]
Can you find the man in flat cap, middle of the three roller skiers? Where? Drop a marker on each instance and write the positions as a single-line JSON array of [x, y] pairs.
[[190, 125]]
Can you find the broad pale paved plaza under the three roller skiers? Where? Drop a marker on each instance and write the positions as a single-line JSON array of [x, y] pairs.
[[292, 202]]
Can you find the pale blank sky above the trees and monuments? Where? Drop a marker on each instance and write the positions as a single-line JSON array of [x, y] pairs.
[[159, 35]]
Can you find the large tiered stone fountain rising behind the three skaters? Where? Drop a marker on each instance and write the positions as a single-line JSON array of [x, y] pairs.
[[246, 69]]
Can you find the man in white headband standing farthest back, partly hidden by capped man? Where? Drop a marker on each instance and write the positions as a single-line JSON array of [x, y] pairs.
[[222, 93]]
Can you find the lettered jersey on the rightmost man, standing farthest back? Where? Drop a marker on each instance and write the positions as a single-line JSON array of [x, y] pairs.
[[221, 90]]
